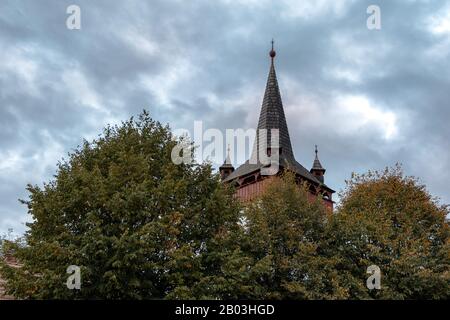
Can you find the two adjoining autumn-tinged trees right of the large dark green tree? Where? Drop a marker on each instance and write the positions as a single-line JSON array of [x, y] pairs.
[[291, 248]]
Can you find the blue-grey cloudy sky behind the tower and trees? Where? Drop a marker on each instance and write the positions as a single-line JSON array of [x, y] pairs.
[[368, 98]]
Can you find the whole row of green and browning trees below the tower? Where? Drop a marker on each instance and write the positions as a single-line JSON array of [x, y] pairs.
[[141, 227]]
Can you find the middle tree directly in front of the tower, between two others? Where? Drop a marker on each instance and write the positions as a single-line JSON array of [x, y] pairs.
[[280, 254]]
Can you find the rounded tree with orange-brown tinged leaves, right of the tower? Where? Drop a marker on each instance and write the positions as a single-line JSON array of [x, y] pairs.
[[390, 220]]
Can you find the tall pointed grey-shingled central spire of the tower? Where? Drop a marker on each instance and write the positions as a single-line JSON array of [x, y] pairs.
[[272, 117]]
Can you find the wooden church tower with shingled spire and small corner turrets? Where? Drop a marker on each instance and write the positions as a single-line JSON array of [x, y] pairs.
[[248, 178]]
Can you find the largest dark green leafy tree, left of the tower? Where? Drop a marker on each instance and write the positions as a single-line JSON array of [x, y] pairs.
[[138, 225]]
